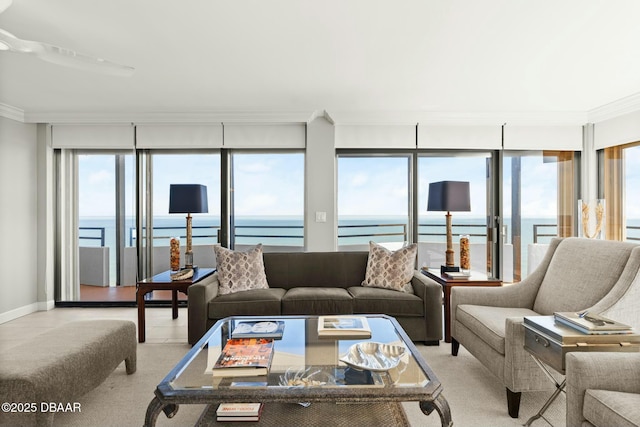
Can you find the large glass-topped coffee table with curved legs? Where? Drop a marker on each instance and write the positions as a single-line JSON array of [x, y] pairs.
[[333, 392]]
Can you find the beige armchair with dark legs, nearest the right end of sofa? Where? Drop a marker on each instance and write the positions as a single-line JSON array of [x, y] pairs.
[[575, 274]]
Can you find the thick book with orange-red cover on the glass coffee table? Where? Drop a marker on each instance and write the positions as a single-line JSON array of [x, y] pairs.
[[244, 357]]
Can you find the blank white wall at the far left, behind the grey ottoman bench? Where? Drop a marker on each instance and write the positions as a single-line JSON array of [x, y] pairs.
[[18, 218]]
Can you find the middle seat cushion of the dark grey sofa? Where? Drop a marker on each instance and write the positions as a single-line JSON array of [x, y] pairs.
[[318, 301]]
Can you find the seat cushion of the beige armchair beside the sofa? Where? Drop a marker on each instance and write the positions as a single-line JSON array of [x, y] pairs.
[[488, 323]]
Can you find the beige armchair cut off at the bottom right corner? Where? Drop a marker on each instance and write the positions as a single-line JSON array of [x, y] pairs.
[[603, 389]]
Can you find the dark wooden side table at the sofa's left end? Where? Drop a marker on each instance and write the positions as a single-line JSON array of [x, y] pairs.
[[162, 281]]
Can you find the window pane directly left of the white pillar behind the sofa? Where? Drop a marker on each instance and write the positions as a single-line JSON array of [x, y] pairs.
[[267, 200]]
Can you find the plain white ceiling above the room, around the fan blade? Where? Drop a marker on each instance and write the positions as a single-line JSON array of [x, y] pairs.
[[389, 60]]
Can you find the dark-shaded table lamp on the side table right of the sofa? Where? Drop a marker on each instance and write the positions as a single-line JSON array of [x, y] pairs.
[[449, 196]]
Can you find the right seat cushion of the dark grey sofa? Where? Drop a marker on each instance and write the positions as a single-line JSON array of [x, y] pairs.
[[368, 300]]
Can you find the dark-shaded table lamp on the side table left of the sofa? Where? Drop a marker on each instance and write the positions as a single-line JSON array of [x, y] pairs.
[[188, 198]]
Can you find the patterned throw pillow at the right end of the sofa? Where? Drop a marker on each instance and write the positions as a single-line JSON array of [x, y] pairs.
[[391, 269]]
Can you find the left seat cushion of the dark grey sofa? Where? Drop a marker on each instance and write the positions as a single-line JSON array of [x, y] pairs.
[[256, 302]]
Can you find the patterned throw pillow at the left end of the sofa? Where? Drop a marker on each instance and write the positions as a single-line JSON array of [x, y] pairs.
[[240, 271]]
